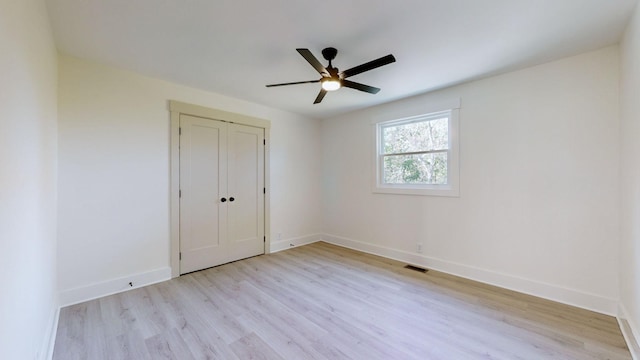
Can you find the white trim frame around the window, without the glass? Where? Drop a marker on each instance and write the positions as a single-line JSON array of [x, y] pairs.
[[451, 189]]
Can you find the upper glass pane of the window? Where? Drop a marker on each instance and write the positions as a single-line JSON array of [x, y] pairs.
[[416, 136]]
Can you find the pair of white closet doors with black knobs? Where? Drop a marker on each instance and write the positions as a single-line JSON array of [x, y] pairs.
[[221, 186]]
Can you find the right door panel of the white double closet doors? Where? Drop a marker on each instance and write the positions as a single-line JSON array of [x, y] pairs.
[[245, 189]]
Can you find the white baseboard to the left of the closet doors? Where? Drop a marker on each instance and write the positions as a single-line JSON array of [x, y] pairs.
[[113, 286]]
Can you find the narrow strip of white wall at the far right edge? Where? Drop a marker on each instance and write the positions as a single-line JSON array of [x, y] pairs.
[[630, 175]]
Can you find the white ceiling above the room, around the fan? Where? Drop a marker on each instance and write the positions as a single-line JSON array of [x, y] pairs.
[[236, 47]]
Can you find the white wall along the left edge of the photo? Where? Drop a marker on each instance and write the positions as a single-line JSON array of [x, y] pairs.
[[28, 158]]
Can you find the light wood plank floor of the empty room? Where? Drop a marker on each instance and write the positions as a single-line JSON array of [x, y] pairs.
[[325, 302]]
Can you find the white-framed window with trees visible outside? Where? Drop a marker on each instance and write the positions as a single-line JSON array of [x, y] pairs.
[[418, 155]]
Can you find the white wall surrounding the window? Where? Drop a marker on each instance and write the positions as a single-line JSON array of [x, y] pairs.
[[538, 206]]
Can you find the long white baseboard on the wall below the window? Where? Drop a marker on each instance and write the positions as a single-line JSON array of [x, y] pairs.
[[548, 291]]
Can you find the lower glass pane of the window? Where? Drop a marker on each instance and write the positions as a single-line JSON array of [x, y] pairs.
[[416, 169]]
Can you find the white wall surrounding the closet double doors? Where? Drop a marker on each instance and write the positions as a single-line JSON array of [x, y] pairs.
[[114, 175]]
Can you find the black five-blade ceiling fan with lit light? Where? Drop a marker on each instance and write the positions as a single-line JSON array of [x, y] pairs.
[[332, 79]]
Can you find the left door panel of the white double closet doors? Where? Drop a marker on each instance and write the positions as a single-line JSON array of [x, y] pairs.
[[203, 183]]
